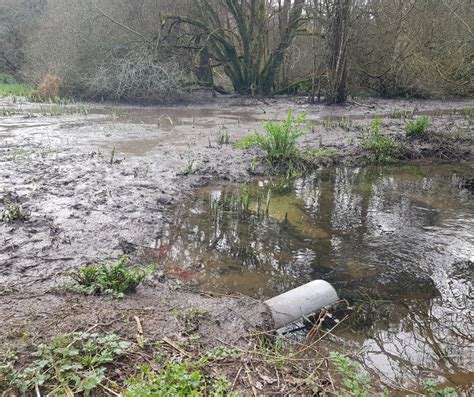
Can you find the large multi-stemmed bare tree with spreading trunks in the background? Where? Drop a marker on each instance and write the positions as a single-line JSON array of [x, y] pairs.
[[240, 36]]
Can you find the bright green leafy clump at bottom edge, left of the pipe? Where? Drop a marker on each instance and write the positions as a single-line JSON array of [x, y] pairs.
[[176, 379]]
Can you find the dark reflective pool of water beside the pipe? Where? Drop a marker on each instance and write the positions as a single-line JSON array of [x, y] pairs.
[[396, 242]]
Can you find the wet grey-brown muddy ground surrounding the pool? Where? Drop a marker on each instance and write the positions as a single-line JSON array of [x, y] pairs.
[[102, 181]]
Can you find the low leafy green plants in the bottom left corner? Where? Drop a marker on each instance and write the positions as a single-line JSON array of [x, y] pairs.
[[70, 364]]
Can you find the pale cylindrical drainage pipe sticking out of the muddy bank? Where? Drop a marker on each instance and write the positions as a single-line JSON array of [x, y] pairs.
[[301, 301]]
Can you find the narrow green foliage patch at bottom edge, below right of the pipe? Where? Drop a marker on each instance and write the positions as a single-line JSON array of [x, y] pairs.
[[356, 382]]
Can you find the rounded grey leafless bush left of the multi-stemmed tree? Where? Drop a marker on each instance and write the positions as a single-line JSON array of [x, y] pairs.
[[139, 75]]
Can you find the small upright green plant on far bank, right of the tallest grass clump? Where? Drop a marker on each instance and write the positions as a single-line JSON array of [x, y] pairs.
[[381, 149]]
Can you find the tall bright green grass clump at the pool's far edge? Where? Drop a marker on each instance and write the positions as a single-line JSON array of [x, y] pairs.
[[278, 139]]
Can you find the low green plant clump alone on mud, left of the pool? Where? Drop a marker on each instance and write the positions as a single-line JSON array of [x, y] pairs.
[[103, 279]]
